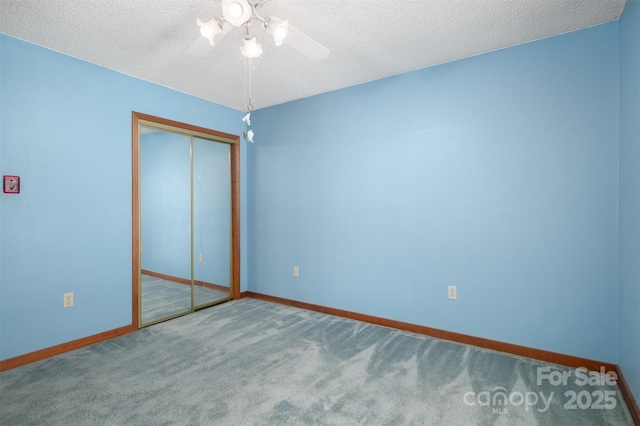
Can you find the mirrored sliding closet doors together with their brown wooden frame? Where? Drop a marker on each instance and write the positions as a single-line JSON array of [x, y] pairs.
[[185, 243]]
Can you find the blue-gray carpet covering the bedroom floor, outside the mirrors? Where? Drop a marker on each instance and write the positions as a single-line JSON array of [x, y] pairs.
[[249, 362]]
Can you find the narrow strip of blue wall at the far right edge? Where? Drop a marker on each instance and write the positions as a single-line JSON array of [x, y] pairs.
[[629, 228]]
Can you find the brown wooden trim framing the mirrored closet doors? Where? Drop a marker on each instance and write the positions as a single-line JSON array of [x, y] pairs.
[[234, 148]]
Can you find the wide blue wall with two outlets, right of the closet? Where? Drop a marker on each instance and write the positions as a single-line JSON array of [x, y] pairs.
[[497, 174]]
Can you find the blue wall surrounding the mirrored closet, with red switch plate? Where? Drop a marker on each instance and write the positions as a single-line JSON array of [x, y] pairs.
[[66, 130]]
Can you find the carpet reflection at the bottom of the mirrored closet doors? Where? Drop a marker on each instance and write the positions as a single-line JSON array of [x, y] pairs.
[[163, 299]]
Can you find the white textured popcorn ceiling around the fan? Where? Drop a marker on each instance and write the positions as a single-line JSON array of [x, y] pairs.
[[368, 39]]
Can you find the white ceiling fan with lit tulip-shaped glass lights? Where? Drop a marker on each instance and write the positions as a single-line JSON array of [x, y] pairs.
[[242, 13]]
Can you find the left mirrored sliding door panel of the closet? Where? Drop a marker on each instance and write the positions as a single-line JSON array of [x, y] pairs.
[[165, 225]]
